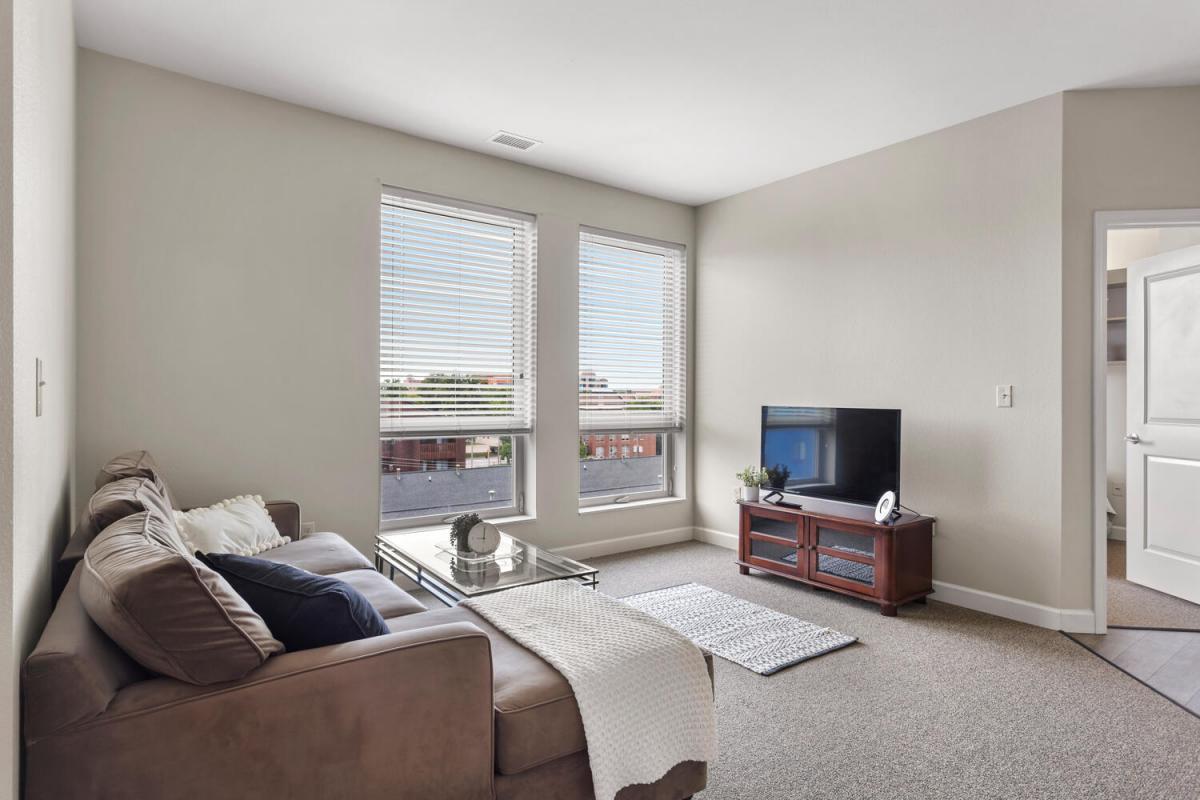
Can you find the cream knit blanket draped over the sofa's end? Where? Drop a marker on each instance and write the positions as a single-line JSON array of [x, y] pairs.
[[643, 689]]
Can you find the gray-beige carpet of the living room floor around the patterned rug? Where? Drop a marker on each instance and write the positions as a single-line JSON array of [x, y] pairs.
[[939, 702]]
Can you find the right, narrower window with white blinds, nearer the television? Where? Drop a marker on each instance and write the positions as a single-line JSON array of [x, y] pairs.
[[633, 366]]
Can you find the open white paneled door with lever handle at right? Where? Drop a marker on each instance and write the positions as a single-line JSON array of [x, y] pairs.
[[1163, 424]]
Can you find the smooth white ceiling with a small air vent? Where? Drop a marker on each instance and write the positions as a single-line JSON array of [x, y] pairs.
[[680, 99]]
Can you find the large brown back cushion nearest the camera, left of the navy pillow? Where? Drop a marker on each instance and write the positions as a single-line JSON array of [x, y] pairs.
[[166, 610]]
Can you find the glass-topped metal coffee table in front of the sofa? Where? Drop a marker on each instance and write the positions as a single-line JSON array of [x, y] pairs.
[[429, 560]]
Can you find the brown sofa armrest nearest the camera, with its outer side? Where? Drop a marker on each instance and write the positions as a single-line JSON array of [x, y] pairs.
[[405, 715]]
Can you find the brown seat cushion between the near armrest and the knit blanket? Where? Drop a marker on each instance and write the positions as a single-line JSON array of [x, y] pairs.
[[537, 717]]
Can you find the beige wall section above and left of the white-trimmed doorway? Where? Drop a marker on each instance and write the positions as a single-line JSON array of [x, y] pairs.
[[1123, 151]]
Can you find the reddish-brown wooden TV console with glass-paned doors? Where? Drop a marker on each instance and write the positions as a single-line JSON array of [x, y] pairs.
[[841, 549]]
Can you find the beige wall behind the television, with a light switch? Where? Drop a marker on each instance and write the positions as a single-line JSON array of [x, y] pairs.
[[915, 278]]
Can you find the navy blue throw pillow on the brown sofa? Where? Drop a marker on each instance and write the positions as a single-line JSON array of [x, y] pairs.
[[302, 610]]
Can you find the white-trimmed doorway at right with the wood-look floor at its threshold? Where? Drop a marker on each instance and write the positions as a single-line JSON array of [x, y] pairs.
[[1143, 625]]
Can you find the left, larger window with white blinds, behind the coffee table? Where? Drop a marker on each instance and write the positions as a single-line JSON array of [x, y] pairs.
[[457, 357]]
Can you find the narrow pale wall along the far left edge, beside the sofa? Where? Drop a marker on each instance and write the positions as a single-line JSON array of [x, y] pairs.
[[38, 322]]
